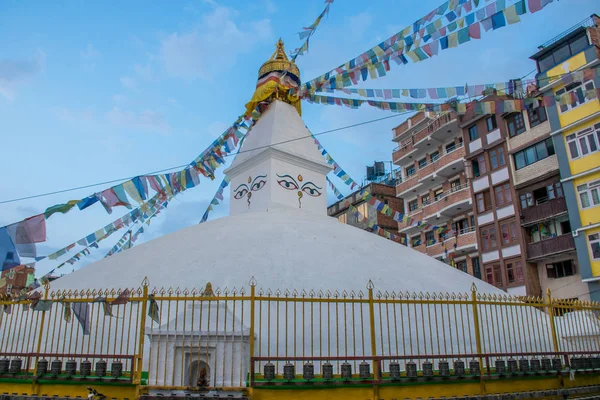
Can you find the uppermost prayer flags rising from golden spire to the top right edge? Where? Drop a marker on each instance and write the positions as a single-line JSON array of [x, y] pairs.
[[425, 42]]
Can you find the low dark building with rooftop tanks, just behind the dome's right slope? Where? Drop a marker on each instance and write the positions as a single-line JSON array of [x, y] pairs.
[[385, 194]]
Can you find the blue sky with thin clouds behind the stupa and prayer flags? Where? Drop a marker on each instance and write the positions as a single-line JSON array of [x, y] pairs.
[[95, 91]]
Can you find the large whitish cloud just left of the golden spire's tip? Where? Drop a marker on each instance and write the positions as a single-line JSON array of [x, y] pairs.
[[213, 45]]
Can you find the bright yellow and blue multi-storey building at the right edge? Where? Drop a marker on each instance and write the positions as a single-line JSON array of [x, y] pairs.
[[575, 132]]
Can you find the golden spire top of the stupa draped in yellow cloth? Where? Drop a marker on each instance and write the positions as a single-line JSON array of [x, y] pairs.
[[278, 78]]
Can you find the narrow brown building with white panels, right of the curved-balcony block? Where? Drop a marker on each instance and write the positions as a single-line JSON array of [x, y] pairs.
[[498, 231]]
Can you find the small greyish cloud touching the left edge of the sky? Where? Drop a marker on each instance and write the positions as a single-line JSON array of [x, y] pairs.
[[14, 72]]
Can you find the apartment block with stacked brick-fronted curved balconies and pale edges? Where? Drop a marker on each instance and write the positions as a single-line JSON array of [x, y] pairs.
[[435, 190]]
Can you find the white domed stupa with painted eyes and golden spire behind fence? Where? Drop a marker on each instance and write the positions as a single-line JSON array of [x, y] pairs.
[[278, 235]]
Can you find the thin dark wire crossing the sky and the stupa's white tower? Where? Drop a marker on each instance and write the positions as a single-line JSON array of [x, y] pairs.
[[185, 165]]
